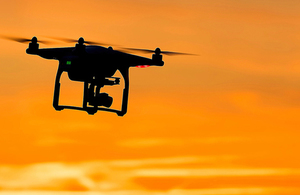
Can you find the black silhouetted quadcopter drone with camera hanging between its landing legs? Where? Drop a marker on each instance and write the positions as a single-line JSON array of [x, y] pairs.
[[95, 66]]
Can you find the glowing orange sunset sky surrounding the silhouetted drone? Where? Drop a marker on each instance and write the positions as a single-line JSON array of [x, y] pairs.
[[224, 122]]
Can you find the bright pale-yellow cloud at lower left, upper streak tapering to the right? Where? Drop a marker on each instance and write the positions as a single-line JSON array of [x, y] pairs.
[[92, 175]]
